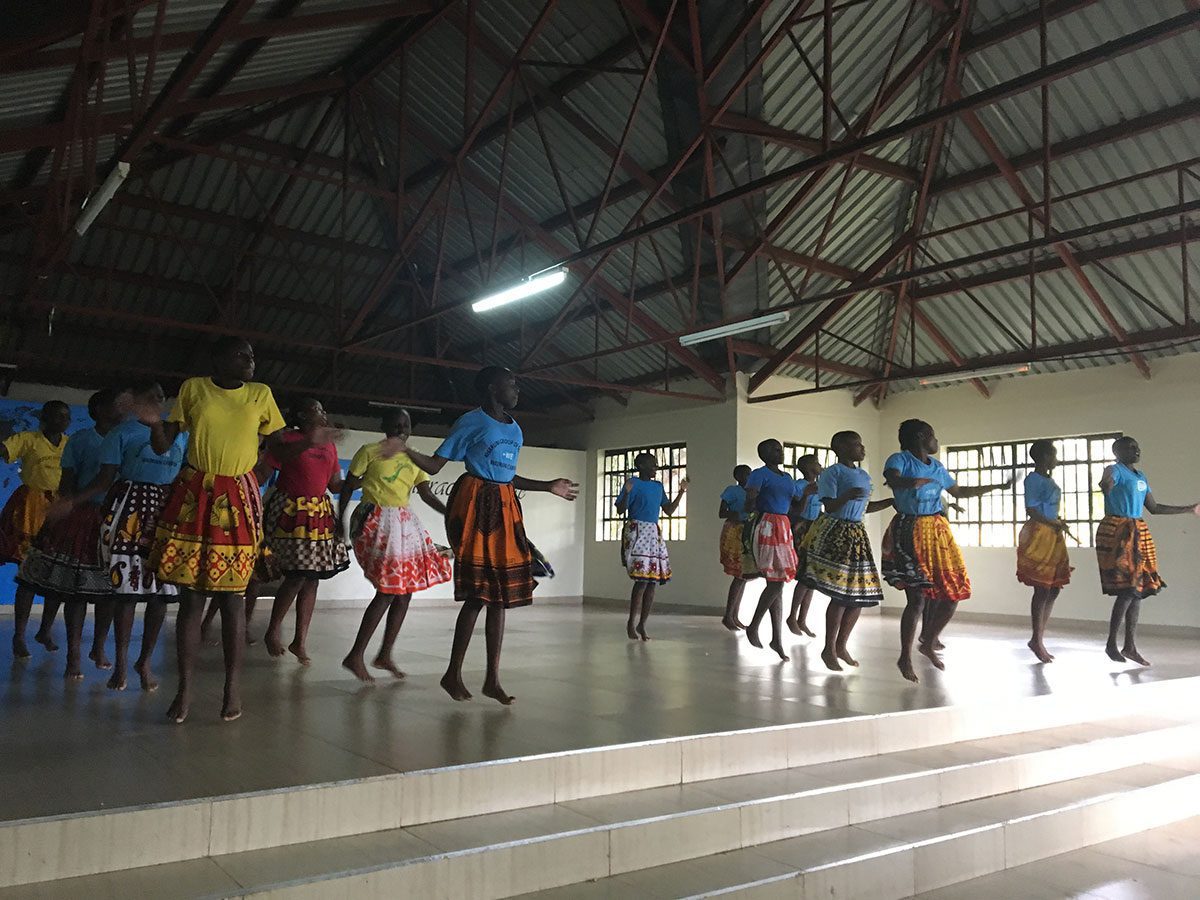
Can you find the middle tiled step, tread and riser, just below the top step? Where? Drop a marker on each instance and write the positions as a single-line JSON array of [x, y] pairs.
[[503, 854]]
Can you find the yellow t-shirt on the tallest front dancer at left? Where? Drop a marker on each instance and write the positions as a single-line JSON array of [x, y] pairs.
[[224, 425]]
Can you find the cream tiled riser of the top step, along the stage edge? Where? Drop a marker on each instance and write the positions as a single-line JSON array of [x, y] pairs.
[[67, 847]]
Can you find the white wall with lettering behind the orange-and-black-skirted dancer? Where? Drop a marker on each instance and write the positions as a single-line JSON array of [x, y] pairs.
[[553, 524]]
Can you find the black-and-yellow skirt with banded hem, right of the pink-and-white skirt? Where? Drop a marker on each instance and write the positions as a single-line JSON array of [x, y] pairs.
[[841, 563]]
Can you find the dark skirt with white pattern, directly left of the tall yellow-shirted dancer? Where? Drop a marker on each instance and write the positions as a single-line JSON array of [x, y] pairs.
[[127, 535]]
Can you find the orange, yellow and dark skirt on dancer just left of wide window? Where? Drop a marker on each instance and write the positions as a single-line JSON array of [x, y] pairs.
[[921, 553]]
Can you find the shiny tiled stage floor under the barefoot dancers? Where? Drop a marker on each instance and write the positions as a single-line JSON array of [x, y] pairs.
[[578, 680]]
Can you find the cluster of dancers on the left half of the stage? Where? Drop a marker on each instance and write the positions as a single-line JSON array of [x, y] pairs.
[[154, 509]]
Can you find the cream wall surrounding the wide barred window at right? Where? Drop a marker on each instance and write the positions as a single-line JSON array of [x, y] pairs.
[[1161, 413]]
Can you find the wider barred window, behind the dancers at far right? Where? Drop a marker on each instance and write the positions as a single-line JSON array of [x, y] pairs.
[[995, 520]]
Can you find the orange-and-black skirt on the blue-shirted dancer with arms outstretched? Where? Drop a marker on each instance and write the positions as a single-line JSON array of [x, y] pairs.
[[494, 561]]
